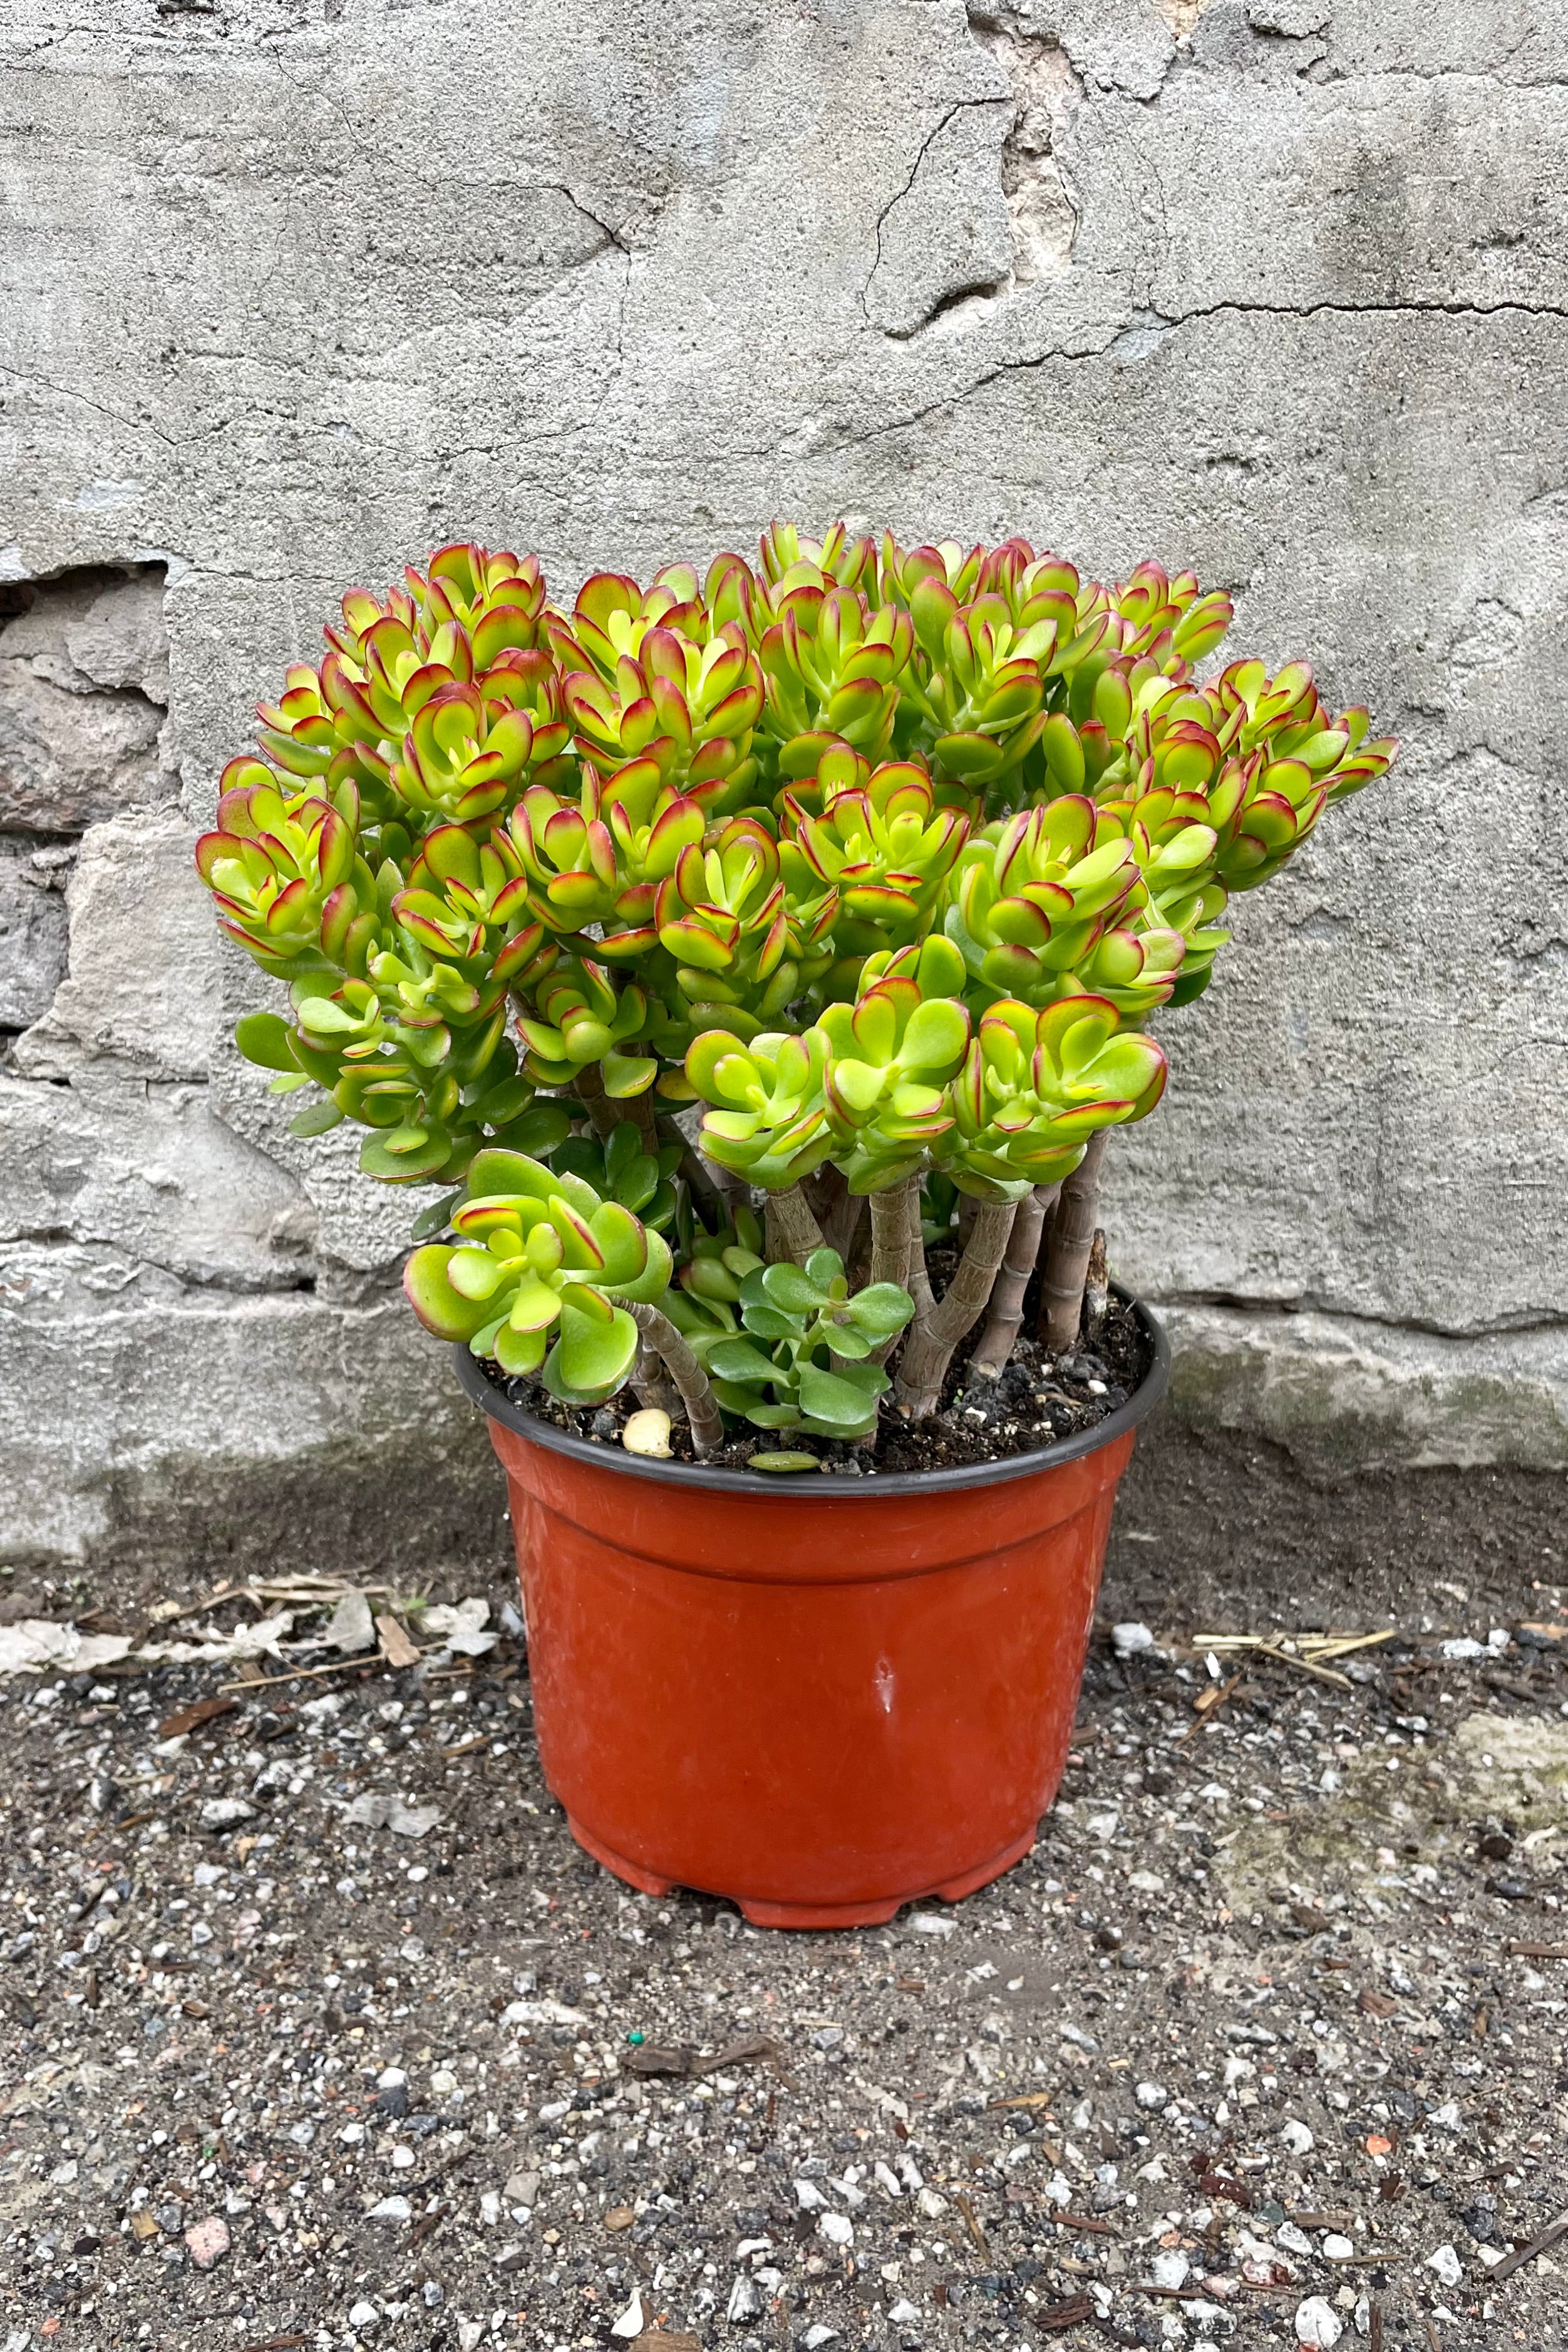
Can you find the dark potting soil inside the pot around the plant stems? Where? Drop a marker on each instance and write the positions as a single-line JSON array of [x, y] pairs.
[[1038, 1401]]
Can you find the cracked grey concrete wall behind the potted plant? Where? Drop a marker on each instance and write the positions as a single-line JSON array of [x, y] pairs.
[[293, 293]]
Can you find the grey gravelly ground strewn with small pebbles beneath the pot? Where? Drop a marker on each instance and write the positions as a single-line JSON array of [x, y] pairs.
[[1264, 2045]]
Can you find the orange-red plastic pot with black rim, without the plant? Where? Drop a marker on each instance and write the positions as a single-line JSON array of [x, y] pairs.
[[822, 1697]]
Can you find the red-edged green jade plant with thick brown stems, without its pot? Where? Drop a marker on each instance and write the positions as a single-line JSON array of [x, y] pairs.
[[890, 860]]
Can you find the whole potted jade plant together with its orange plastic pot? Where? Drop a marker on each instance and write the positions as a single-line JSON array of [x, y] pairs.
[[751, 970]]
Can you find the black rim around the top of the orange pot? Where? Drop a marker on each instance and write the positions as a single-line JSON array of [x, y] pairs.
[[758, 1485]]
